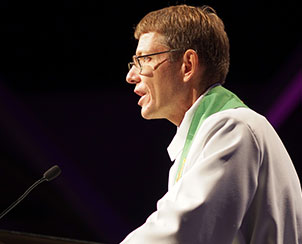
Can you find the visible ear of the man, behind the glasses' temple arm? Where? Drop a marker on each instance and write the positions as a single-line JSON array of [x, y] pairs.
[[190, 64]]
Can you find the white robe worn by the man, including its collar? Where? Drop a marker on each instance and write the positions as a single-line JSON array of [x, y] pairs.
[[238, 186]]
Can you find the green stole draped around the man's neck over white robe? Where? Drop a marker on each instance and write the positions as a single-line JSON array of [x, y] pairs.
[[216, 100]]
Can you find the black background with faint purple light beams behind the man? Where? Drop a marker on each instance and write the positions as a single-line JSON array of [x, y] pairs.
[[64, 100]]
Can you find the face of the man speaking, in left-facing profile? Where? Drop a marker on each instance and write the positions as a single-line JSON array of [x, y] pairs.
[[159, 83]]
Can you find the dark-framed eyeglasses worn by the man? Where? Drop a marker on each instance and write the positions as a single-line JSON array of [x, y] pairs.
[[141, 62]]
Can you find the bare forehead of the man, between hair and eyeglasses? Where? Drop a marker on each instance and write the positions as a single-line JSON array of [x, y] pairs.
[[150, 42]]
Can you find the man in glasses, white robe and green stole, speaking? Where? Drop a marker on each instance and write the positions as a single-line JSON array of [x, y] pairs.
[[232, 180]]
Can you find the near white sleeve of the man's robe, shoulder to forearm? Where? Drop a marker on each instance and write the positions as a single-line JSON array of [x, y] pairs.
[[207, 205]]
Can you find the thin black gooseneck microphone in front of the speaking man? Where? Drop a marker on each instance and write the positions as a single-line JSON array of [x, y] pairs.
[[49, 175]]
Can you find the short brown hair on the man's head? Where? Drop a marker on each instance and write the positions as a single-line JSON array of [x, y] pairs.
[[198, 28]]
